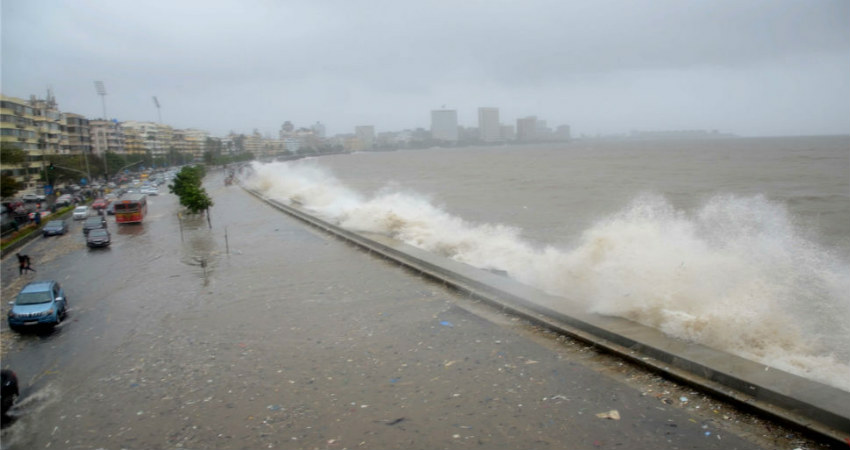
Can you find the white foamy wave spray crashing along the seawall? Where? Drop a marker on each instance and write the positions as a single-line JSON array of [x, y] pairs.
[[736, 274]]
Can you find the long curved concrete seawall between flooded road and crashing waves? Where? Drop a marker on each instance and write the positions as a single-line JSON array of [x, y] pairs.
[[811, 406]]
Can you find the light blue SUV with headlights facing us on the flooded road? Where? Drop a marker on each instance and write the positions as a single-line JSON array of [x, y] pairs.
[[38, 303]]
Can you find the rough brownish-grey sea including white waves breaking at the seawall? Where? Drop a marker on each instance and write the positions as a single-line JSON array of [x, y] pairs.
[[739, 244]]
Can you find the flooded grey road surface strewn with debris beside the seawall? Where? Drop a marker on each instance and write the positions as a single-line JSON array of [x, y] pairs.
[[264, 333]]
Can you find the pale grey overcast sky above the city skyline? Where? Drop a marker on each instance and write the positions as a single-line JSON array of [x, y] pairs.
[[755, 68]]
